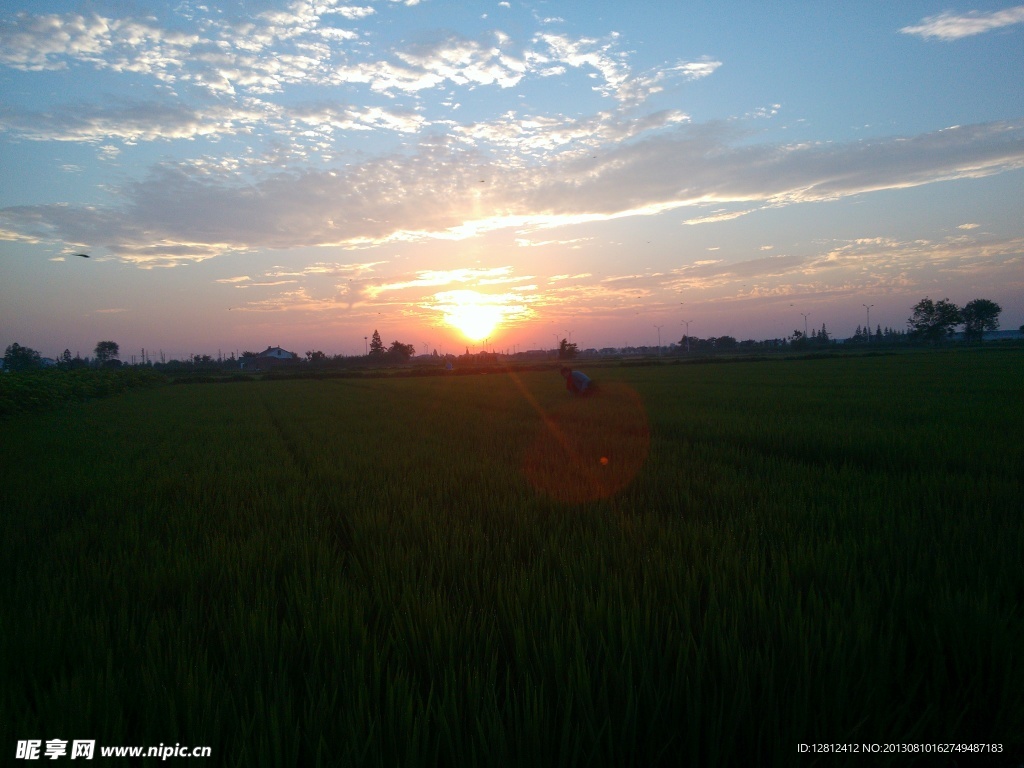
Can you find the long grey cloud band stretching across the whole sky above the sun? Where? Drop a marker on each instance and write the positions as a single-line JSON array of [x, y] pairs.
[[436, 192]]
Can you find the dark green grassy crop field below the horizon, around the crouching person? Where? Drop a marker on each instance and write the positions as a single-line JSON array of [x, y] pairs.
[[443, 572]]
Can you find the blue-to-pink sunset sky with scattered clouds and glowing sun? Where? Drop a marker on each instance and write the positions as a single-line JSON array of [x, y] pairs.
[[254, 174]]
